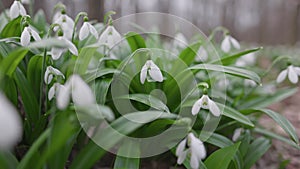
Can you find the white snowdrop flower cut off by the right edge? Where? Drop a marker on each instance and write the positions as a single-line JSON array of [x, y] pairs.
[[292, 73]]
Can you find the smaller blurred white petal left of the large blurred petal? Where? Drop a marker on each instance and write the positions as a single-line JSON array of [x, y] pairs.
[[63, 96]]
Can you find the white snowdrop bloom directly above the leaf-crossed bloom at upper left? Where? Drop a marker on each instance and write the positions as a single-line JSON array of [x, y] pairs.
[[66, 23]]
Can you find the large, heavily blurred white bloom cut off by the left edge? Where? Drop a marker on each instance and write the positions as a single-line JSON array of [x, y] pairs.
[[10, 124]]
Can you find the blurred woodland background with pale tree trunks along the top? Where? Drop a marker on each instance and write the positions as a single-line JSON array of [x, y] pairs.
[[268, 22]]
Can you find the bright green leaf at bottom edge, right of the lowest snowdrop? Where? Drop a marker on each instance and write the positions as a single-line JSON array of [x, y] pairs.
[[221, 158]]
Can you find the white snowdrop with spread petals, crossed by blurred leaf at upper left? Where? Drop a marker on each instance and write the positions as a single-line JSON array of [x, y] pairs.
[[57, 52]]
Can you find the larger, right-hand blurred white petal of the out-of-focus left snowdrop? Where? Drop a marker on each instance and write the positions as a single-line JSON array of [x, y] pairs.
[[82, 94]]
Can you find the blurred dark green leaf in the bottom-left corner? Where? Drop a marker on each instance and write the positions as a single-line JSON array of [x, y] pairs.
[[8, 160]]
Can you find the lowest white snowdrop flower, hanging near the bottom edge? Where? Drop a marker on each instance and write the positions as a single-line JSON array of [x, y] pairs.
[[191, 146]]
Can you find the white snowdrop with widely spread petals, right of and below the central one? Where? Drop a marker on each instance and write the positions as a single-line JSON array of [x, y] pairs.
[[206, 103]]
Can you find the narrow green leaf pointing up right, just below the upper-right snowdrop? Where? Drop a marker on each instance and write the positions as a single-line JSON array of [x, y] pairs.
[[232, 58]]
